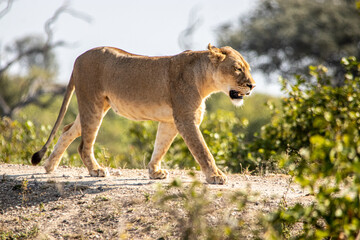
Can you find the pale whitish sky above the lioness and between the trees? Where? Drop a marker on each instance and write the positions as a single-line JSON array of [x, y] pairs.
[[139, 26]]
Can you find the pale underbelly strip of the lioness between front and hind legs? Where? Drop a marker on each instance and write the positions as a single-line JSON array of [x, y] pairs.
[[156, 112]]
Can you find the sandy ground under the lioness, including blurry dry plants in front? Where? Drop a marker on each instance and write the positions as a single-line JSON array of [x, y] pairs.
[[71, 205]]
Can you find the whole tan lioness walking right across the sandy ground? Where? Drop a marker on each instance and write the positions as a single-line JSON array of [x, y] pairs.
[[171, 90]]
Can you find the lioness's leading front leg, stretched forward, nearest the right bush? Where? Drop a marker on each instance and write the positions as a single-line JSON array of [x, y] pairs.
[[197, 146]]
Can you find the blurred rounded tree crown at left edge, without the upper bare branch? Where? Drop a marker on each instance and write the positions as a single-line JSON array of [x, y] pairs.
[[22, 79]]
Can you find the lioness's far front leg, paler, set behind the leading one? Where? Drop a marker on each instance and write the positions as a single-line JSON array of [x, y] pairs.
[[164, 137]]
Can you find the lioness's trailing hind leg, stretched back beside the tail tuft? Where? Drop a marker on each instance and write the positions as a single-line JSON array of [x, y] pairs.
[[70, 133]]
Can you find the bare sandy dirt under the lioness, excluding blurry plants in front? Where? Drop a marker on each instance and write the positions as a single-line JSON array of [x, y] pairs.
[[69, 204]]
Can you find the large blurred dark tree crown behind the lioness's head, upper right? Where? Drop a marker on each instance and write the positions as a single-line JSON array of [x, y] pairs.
[[285, 37]]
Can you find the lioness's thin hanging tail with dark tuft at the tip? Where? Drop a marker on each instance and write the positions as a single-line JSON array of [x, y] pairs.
[[36, 158]]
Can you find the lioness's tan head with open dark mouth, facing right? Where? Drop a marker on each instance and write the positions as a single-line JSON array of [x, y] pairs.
[[232, 73]]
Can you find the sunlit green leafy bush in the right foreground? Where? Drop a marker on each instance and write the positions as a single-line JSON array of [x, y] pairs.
[[317, 138]]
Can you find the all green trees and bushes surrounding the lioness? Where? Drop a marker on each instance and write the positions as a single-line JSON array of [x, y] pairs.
[[311, 132]]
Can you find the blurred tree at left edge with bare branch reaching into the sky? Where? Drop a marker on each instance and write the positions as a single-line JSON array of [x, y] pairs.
[[28, 65]]
